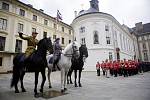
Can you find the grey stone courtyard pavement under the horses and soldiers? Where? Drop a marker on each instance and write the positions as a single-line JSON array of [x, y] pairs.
[[135, 87]]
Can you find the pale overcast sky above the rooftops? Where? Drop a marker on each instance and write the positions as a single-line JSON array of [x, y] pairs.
[[128, 12]]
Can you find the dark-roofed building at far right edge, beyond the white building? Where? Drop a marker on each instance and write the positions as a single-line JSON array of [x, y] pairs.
[[142, 32]]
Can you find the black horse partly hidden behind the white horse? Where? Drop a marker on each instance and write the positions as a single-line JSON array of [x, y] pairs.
[[77, 64]]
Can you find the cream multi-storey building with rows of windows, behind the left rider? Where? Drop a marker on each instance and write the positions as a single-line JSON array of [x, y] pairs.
[[15, 17]]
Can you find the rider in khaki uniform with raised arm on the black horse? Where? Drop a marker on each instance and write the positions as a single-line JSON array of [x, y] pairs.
[[31, 43]]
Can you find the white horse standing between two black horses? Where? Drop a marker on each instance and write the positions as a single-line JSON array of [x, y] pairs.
[[71, 50]]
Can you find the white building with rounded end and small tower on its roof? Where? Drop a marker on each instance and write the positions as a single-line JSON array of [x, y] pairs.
[[104, 36]]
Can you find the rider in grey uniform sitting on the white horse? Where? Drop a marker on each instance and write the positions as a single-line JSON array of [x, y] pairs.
[[57, 50]]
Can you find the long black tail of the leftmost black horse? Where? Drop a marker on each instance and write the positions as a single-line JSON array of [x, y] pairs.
[[16, 71]]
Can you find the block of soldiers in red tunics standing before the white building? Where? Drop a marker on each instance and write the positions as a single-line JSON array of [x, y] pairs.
[[118, 67]]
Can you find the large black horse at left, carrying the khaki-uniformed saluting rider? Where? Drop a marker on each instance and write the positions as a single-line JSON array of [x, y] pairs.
[[35, 63]]
